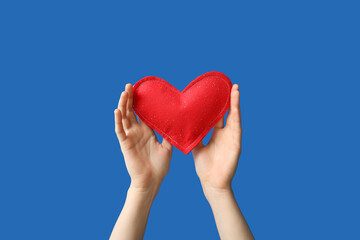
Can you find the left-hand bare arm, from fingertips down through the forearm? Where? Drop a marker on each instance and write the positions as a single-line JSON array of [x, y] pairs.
[[147, 162]]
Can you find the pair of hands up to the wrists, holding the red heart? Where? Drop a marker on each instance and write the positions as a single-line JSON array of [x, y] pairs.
[[148, 161]]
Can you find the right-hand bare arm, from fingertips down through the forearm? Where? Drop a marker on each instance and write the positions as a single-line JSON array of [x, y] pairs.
[[215, 166]]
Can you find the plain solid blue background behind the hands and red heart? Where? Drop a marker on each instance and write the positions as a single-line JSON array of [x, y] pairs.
[[63, 65]]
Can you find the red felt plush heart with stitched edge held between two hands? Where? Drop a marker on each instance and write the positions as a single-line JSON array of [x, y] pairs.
[[183, 118]]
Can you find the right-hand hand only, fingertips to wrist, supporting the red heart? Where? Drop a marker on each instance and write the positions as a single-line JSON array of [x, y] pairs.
[[216, 162]]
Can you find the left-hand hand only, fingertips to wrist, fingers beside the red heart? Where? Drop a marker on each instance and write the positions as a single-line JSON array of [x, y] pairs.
[[147, 161]]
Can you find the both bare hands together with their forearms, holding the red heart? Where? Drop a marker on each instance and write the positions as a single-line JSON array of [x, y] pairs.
[[148, 161]]
